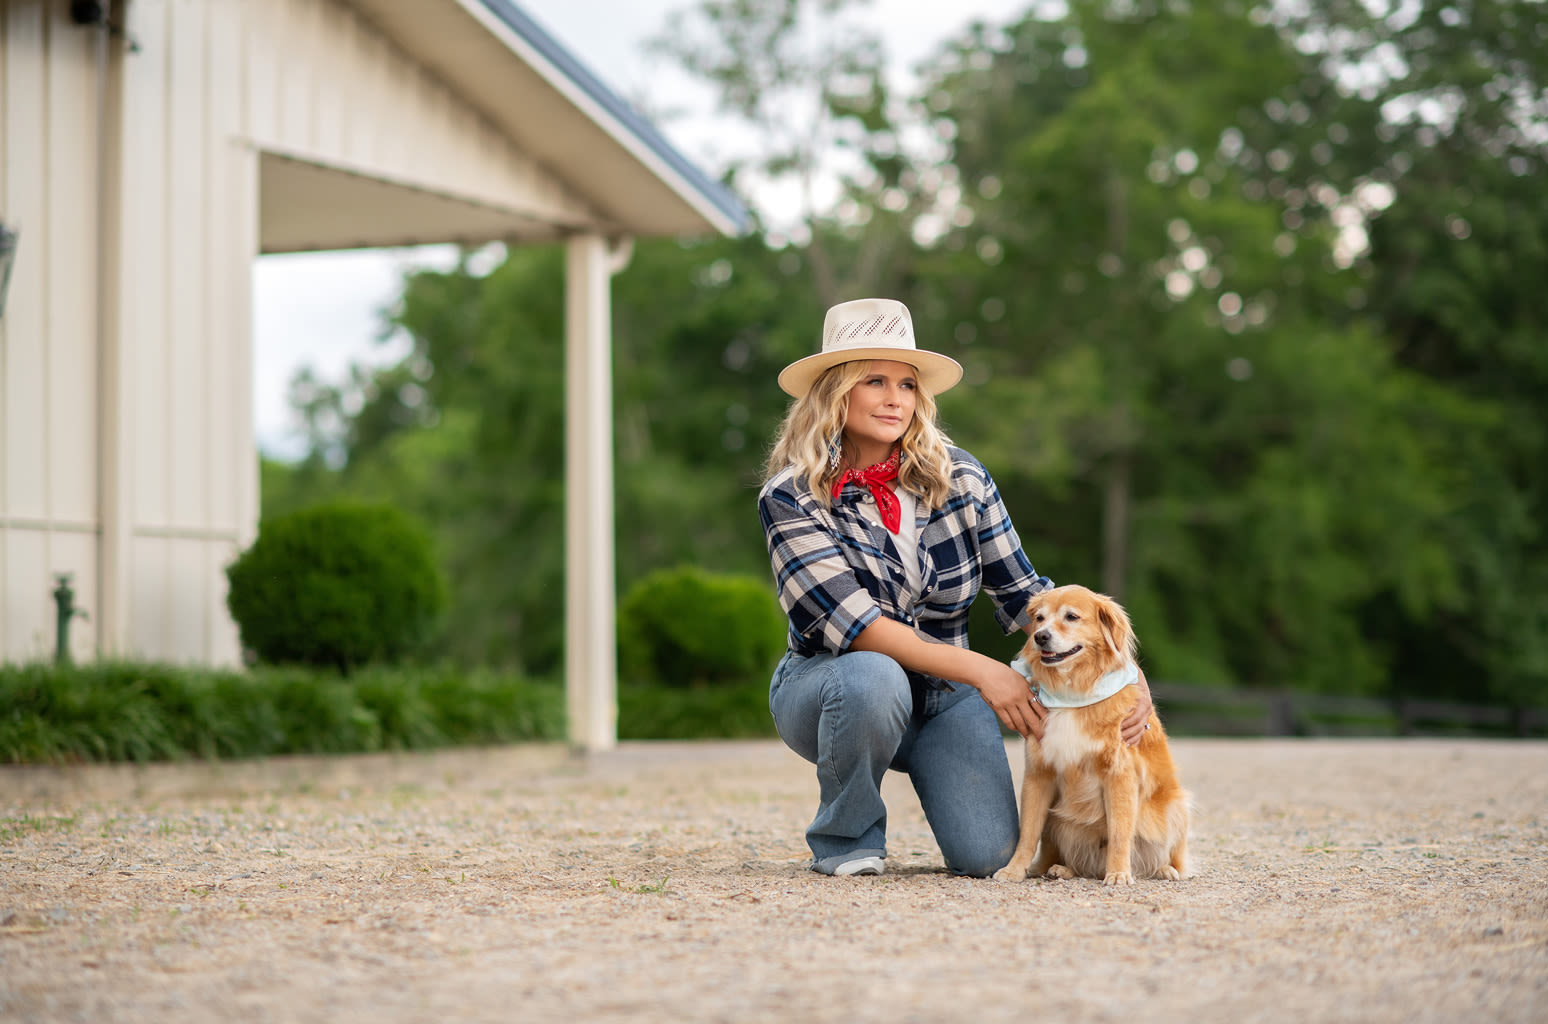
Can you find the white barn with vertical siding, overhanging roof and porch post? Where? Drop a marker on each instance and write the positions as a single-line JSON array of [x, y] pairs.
[[146, 160]]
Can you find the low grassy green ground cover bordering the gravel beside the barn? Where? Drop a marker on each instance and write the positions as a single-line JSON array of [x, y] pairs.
[[128, 712]]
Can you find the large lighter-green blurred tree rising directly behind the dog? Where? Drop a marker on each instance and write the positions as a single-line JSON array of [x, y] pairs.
[[1140, 286]]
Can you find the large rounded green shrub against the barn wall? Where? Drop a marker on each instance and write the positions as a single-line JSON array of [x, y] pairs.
[[337, 586]]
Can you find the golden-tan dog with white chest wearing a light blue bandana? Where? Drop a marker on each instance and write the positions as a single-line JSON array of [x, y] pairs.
[[1094, 806]]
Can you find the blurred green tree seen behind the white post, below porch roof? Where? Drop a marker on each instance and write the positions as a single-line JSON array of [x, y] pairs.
[[468, 430]]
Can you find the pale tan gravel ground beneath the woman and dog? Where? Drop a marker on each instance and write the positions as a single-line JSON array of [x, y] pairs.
[[1334, 881]]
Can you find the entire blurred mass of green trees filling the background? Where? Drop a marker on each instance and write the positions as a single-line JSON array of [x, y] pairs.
[[1252, 301]]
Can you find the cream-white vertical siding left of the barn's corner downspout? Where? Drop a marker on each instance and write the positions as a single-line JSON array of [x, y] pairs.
[[49, 360]]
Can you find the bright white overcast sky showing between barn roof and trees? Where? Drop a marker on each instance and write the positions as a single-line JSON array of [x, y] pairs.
[[324, 311]]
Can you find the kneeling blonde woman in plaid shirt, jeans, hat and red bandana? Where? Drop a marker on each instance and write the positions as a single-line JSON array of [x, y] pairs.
[[882, 537]]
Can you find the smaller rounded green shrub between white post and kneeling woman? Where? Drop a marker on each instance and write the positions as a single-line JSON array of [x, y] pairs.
[[691, 628]]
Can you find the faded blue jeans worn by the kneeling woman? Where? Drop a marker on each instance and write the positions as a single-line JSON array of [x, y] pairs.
[[855, 716]]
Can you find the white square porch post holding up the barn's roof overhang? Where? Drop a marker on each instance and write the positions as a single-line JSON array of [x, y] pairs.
[[591, 647]]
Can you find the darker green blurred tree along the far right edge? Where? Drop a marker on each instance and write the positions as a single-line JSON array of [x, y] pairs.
[[1444, 105]]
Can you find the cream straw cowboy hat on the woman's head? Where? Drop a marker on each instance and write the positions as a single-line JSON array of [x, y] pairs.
[[871, 329]]
